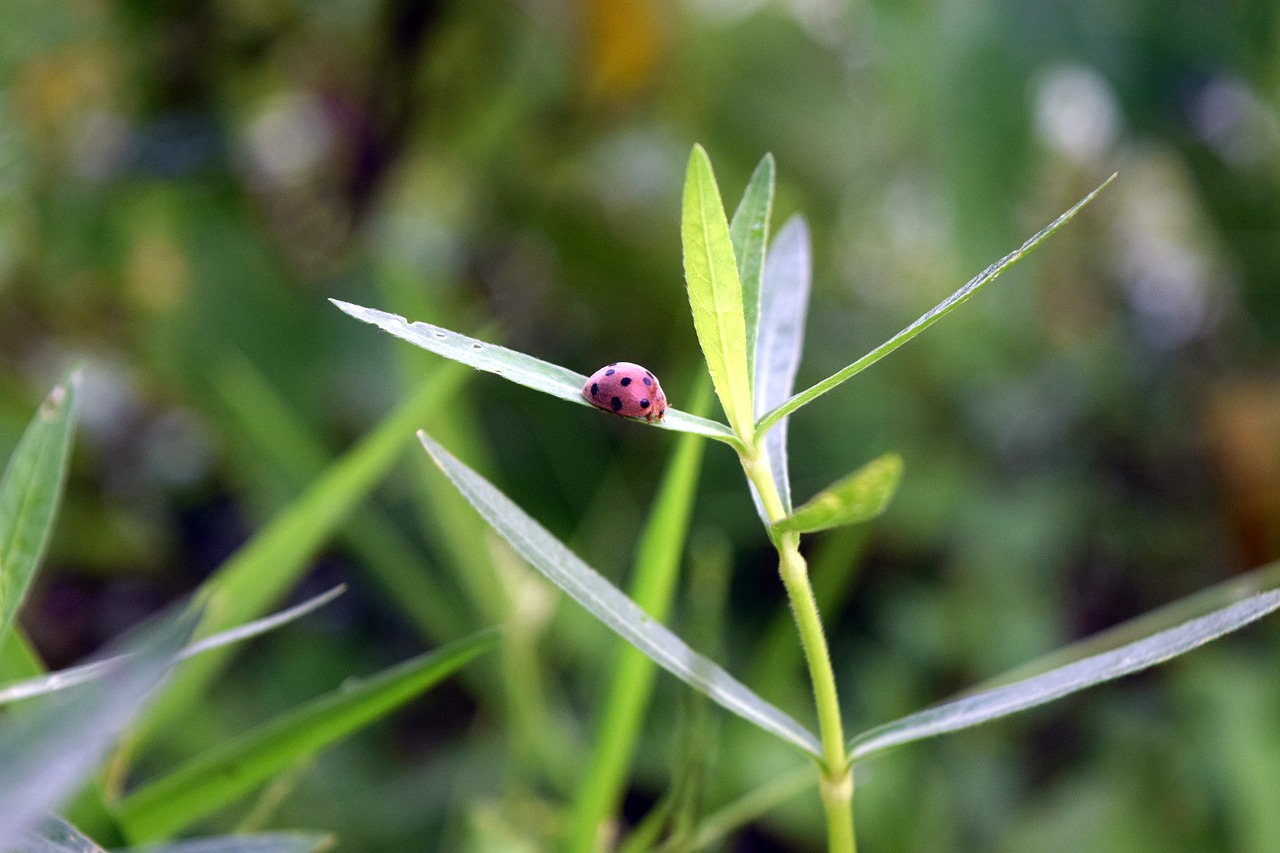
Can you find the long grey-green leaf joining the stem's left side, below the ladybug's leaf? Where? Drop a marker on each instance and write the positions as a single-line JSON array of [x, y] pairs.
[[560, 565]]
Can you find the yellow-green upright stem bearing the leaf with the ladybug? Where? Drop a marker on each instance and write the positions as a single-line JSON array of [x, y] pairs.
[[838, 781]]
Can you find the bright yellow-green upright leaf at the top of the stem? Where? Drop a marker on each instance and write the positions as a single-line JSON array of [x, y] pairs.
[[716, 294]]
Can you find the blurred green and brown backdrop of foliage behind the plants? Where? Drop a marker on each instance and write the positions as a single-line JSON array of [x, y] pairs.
[[182, 186]]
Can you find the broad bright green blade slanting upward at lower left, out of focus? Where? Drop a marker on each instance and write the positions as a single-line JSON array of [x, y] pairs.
[[235, 769]]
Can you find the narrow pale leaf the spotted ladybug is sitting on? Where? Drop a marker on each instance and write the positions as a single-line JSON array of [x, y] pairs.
[[519, 368]]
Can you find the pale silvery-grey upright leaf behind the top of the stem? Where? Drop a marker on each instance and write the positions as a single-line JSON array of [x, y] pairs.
[[784, 308]]
